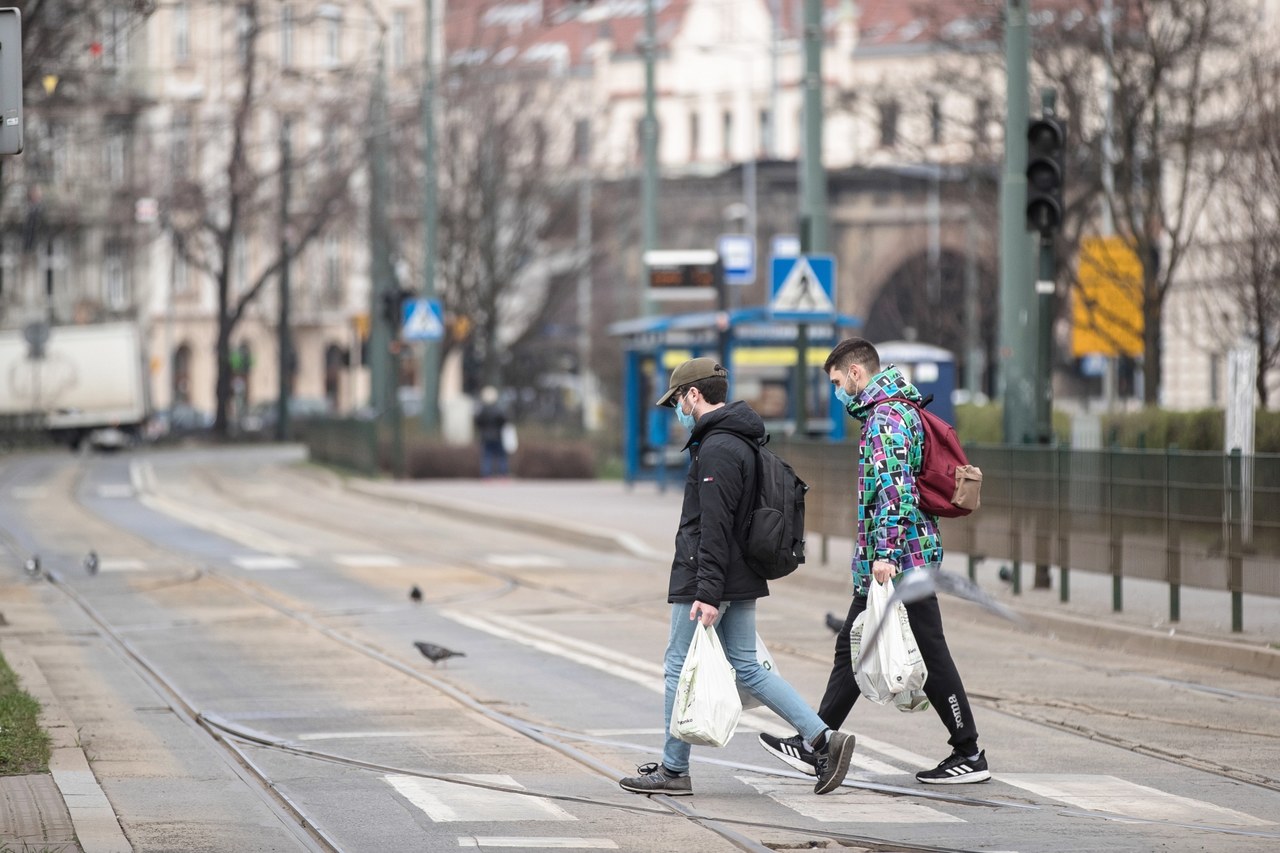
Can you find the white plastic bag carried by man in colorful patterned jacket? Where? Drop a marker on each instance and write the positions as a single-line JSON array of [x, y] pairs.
[[895, 665]]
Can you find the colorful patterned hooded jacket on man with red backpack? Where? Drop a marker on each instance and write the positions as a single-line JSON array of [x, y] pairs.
[[890, 523]]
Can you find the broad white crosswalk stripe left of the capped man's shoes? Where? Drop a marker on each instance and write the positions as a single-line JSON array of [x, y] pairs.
[[445, 802]]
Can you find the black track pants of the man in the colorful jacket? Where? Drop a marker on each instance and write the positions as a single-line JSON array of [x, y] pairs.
[[944, 687]]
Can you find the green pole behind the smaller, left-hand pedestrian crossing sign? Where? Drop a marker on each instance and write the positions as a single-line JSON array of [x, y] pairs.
[[431, 220]]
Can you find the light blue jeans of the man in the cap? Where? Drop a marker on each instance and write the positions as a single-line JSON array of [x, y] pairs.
[[737, 631]]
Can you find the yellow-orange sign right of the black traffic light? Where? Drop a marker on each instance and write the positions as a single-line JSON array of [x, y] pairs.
[[1107, 313]]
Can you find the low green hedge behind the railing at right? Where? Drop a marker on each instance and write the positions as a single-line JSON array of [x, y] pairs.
[[1154, 428]]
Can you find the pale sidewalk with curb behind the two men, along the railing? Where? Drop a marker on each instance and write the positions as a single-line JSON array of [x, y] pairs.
[[642, 521]]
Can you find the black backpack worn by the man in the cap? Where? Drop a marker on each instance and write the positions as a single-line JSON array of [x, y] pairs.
[[772, 526]]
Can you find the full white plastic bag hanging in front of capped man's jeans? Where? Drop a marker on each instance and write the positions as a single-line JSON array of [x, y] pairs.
[[707, 706]]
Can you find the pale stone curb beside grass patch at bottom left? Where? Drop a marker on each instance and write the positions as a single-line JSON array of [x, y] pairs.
[[98, 829]]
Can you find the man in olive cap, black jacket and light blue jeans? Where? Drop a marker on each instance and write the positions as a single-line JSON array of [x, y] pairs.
[[711, 583]]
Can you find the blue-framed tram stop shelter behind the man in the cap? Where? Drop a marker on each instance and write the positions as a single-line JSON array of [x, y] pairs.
[[762, 355]]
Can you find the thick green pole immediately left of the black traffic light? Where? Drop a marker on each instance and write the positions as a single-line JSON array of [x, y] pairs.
[[1018, 309]]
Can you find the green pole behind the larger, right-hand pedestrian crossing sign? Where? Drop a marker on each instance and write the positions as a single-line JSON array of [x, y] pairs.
[[813, 190]]
